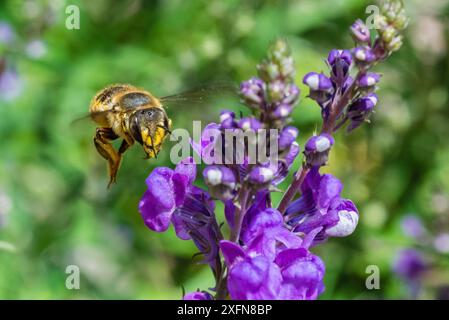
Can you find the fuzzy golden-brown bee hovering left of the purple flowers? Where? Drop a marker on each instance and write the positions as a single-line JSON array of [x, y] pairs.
[[123, 111]]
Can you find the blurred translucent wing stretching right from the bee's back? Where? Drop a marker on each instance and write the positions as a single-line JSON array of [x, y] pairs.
[[202, 94]]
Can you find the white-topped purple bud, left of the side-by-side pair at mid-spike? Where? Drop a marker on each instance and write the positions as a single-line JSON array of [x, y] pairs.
[[221, 181]]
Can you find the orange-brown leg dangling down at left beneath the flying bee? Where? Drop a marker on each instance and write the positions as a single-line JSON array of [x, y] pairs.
[[102, 140]]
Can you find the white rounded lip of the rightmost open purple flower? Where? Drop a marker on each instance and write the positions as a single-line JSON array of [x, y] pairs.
[[348, 217]]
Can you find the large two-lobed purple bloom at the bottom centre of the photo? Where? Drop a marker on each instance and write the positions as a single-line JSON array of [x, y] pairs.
[[294, 274]]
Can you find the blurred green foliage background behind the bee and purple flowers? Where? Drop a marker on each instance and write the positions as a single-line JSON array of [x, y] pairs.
[[55, 209]]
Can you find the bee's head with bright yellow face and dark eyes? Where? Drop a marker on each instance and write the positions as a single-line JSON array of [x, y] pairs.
[[149, 127]]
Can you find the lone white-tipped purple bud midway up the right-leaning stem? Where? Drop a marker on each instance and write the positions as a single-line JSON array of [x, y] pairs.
[[317, 149]]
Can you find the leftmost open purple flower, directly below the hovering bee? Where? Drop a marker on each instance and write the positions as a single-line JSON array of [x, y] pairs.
[[166, 191]]
